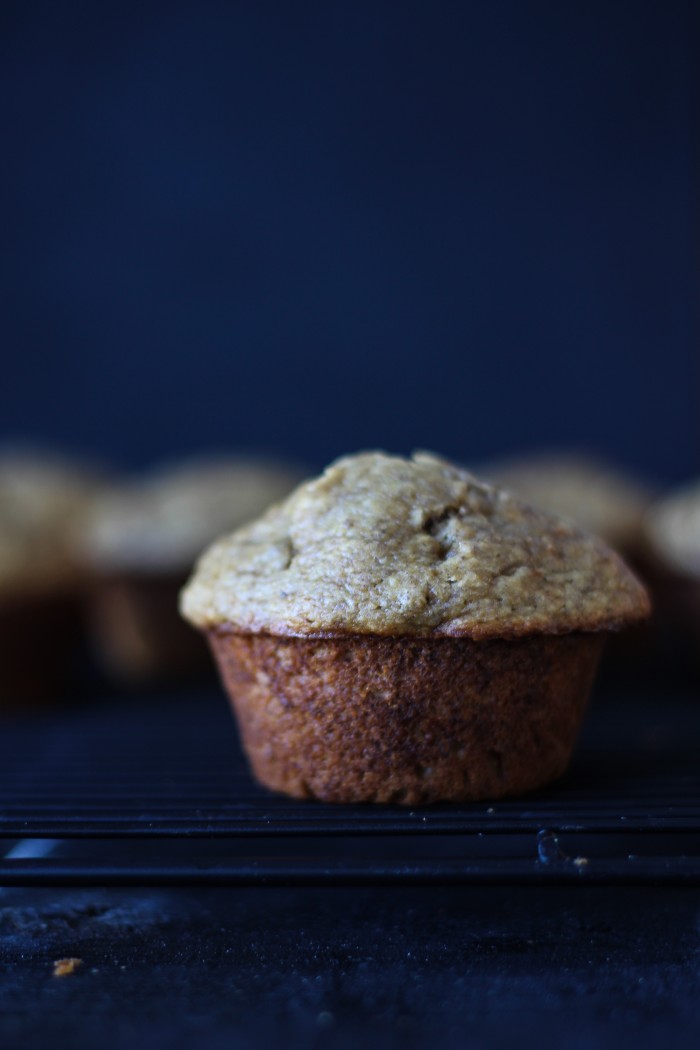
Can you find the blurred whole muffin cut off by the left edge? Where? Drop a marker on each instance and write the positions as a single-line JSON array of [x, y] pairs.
[[44, 500]]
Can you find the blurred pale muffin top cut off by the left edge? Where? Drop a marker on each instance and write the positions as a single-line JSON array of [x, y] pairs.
[[43, 501]]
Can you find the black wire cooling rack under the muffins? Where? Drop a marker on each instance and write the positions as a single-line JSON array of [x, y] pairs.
[[157, 792]]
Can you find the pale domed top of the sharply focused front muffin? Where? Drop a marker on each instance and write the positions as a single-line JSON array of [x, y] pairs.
[[386, 545]]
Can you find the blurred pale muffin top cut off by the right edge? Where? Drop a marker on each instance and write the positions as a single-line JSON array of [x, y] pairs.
[[673, 530]]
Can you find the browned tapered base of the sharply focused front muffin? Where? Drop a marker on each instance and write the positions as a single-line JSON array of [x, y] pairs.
[[368, 719]]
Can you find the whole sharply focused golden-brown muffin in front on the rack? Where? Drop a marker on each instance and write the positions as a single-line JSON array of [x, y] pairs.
[[398, 632]]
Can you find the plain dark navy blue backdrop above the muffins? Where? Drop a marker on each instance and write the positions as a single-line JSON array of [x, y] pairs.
[[323, 226]]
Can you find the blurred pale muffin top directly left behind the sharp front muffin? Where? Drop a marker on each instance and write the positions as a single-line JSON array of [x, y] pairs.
[[161, 522]]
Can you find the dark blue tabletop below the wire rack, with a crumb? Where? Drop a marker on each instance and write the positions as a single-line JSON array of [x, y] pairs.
[[385, 969]]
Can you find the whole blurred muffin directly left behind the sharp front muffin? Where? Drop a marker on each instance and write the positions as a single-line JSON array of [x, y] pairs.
[[139, 544]]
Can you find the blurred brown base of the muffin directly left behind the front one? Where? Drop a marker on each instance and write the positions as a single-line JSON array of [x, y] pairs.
[[138, 633]]
